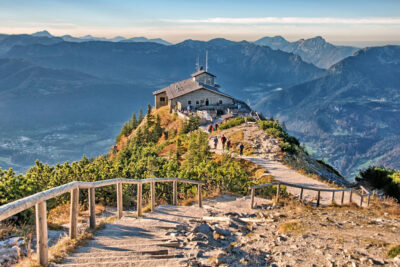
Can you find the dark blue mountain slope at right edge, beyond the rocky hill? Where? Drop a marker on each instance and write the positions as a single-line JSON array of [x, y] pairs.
[[350, 115]]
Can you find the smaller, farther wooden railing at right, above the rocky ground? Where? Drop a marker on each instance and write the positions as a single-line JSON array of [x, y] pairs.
[[363, 193]]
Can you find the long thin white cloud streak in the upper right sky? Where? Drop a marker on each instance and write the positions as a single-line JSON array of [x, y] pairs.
[[288, 20]]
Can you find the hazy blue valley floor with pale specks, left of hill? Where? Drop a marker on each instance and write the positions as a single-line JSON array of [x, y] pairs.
[[20, 149]]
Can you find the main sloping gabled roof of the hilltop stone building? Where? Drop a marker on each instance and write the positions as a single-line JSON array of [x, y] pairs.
[[187, 86]]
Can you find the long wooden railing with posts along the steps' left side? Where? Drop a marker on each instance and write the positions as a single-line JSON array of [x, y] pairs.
[[39, 201]]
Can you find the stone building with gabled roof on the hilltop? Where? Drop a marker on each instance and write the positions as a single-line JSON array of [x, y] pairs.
[[196, 93]]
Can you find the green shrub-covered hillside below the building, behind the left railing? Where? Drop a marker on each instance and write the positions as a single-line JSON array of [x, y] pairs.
[[159, 145]]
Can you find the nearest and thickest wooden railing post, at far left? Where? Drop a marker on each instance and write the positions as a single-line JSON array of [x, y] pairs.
[[41, 233]]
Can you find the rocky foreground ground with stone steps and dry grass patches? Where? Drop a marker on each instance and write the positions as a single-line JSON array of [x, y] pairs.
[[222, 233]]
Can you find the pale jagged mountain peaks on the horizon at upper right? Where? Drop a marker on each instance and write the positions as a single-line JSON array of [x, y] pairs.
[[314, 50]]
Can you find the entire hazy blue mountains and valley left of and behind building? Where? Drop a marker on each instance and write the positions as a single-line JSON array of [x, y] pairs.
[[61, 99]]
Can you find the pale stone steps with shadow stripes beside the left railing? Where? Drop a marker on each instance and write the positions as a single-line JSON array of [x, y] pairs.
[[148, 241]]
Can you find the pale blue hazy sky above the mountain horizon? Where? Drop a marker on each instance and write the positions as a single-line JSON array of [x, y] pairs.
[[358, 22]]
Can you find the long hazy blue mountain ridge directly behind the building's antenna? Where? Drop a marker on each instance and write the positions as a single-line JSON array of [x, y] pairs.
[[246, 70]]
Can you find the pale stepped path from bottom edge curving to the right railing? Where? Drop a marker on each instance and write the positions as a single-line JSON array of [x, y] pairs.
[[159, 238]]
